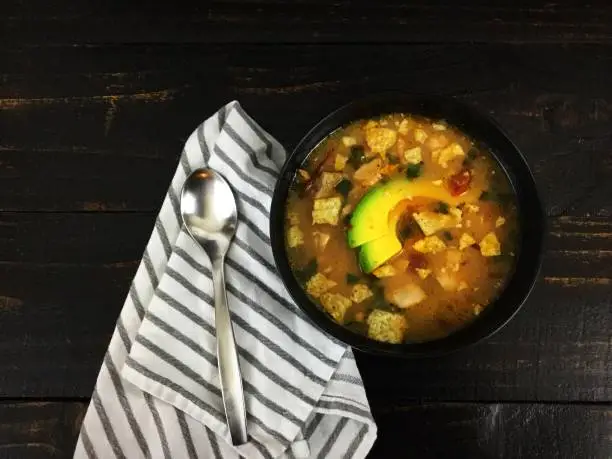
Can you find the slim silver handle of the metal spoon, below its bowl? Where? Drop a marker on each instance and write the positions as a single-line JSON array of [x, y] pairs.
[[227, 357]]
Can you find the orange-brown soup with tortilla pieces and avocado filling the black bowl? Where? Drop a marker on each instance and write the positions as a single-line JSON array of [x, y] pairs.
[[401, 228]]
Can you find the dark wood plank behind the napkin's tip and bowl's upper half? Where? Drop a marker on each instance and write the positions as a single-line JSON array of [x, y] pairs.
[[87, 119]]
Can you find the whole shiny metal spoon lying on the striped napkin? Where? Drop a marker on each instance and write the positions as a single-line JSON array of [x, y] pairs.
[[209, 213]]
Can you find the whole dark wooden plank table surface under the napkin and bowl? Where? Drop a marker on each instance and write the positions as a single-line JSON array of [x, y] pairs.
[[97, 98]]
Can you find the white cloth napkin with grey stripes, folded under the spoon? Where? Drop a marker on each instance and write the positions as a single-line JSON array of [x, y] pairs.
[[158, 392]]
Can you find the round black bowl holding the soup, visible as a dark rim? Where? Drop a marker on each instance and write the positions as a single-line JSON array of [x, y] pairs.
[[482, 130]]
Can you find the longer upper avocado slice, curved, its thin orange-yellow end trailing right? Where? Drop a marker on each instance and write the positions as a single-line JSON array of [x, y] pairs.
[[370, 219]]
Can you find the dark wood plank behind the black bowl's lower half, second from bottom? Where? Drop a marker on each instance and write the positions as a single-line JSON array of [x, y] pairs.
[[63, 279]]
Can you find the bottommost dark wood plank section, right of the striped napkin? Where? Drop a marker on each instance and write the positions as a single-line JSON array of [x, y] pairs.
[[481, 431]]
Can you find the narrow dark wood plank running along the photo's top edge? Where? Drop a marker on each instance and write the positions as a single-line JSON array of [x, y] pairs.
[[312, 21]]
